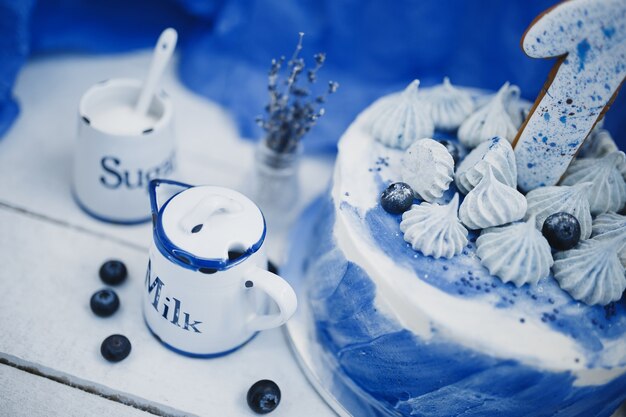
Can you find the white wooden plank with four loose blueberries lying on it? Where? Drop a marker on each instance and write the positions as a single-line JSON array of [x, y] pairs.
[[49, 273]]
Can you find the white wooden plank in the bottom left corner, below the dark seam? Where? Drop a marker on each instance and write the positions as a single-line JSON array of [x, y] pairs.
[[28, 395]]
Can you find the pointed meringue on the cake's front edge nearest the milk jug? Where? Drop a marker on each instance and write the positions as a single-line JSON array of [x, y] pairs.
[[435, 230]]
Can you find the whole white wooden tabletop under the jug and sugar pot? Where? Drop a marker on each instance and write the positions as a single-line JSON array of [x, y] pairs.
[[50, 253]]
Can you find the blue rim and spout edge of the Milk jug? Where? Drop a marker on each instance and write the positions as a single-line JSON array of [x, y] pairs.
[[178, 255]]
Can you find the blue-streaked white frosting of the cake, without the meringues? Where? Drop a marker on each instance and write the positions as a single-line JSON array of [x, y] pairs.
[[442, 337]]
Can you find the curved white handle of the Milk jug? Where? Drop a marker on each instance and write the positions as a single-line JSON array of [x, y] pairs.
[[278, 290]]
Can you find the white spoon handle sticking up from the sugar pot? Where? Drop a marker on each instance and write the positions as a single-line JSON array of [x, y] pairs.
[[162, 53]]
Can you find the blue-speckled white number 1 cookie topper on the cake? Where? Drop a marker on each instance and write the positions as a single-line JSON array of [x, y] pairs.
[[589, 36]]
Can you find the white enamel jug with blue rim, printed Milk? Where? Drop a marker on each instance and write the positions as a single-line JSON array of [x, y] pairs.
[[207, 287]]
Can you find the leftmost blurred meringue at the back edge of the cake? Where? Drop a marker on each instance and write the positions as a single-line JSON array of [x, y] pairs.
[[401, 120]]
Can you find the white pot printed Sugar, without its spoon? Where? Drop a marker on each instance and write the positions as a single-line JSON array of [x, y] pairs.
[[118, 151]]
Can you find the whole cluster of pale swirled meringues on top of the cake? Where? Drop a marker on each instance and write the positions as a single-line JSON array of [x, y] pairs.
[[511, 245]]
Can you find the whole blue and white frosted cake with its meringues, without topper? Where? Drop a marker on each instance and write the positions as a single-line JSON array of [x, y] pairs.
[[410, 318]]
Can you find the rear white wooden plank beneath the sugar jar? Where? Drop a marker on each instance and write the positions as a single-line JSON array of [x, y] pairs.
[[36, 155]]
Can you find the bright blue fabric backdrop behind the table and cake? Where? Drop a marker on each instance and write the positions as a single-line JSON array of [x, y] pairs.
[[373, 47]]
